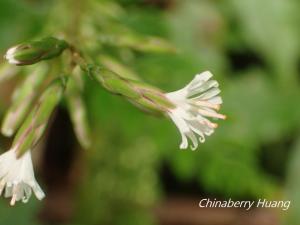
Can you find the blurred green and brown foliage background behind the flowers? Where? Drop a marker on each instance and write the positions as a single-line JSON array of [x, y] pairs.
[[135, 173]]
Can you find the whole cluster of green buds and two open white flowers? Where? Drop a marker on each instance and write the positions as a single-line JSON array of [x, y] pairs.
[[189, 108]]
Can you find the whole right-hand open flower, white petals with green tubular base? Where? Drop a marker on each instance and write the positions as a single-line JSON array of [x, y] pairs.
[[188, 107]]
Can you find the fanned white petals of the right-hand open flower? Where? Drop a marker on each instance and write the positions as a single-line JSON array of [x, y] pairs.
[[193, 103]]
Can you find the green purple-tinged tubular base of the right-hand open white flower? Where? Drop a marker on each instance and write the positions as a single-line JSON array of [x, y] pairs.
[[144, 96]]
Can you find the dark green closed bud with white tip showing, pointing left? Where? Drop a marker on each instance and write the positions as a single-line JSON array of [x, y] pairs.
[[35, 51]]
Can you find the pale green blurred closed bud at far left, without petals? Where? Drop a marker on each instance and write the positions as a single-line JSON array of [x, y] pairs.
[[22, 100]]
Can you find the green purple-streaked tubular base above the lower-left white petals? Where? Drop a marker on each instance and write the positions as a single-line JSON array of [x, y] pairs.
[[35, 124]]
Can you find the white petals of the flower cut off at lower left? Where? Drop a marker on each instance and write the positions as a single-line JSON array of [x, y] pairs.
[[17, 177]]
